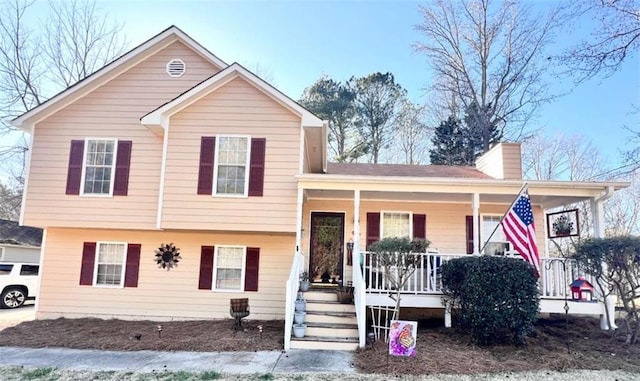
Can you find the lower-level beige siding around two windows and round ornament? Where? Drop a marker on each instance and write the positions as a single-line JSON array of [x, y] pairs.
[[161, 294]]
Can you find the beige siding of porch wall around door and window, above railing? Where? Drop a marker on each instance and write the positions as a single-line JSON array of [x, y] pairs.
[[446, 224]]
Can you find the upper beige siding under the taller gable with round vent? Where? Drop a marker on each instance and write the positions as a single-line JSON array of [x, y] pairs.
[[111, 111]]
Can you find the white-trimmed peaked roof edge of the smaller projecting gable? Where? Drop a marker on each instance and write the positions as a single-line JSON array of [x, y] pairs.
[[160, 115]]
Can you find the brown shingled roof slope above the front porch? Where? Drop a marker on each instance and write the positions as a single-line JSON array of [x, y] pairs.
[[361, 169]]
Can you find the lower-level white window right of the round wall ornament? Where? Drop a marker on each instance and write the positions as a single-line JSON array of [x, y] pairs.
[[229, 268]]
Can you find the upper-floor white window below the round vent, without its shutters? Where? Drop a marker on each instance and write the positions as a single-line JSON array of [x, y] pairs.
[[98, 168]]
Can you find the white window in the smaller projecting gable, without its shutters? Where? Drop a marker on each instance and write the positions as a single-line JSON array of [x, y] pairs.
[[232, 165]]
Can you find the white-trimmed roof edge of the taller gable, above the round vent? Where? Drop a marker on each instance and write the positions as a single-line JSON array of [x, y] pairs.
[[110, 70]]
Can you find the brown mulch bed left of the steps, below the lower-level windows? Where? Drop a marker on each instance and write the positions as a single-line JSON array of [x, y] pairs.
[[122, 335]]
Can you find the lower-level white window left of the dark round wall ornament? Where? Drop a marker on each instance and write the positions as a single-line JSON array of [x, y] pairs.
[[110, 263]]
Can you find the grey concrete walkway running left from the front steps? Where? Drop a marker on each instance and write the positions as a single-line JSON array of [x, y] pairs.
[[293, 361]]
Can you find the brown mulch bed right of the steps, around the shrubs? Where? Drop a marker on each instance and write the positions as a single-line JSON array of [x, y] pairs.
[[550, 347]]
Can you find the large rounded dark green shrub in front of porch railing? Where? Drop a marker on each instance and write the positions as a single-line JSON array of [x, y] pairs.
[[495, 299]]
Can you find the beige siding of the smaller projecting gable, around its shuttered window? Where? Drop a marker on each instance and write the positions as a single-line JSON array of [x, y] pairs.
[[236, 108]]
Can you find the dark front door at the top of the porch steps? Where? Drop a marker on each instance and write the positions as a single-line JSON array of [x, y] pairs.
[[327, 242]]
